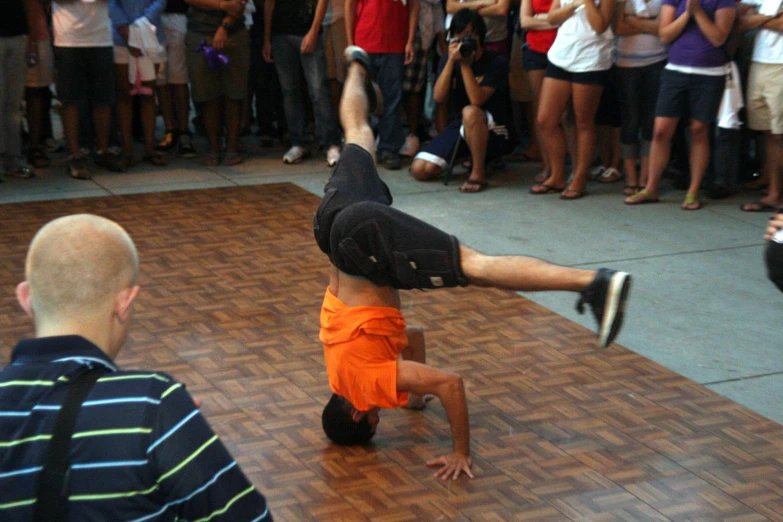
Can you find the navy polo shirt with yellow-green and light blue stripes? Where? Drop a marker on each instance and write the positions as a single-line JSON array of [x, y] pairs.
[[140, 451]]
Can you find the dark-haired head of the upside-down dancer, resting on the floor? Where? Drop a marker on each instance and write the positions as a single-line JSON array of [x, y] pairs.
[[347, 426]]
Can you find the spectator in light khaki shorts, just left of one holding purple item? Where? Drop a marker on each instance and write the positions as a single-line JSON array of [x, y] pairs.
[[172, 84]]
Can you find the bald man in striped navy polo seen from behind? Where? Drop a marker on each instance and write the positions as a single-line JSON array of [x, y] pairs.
[[140, 449]]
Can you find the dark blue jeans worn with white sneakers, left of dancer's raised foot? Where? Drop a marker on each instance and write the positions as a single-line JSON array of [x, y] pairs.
[[290, 63]]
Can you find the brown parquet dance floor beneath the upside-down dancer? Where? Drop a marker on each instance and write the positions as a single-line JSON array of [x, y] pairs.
[[232, 284]]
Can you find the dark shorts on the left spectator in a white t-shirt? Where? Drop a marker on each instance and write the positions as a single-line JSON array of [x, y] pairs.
[[85, 73]]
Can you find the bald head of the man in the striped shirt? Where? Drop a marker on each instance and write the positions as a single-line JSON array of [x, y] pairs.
[[81, 273]]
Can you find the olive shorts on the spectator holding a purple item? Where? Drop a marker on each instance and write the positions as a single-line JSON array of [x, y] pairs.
[[230, 80]]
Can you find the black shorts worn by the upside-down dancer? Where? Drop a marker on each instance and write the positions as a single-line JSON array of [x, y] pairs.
[[365, 237]]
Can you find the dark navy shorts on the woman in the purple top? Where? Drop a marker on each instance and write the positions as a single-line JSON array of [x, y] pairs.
[[692, 96]]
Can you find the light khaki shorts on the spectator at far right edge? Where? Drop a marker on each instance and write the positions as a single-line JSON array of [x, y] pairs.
[[765, 97]]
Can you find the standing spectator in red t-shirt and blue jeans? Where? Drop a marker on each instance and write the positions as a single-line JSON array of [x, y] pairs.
[[386, 30]]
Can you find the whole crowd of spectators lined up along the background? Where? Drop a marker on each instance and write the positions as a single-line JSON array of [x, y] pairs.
[[688, 88]]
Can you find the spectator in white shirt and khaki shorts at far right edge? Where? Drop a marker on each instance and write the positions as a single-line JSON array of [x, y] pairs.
[[765, 100]]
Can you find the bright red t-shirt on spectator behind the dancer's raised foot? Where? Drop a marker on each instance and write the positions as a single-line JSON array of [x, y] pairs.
[[381, 26]]
